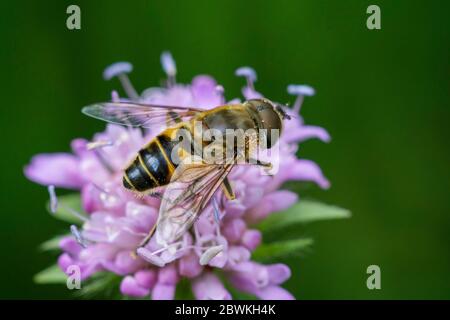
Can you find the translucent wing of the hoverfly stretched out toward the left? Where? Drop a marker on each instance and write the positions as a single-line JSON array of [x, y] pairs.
[[139, 115]]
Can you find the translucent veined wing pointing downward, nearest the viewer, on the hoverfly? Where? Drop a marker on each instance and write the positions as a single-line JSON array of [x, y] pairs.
[[191, 187]]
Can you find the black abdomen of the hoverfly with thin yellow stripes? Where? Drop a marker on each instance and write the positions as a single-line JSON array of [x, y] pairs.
[[152, 167]]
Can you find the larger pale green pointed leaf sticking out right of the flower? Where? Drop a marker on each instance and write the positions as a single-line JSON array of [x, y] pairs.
[[303, 211]]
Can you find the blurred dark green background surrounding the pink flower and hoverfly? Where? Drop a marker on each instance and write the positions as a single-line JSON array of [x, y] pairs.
[[383, 95]]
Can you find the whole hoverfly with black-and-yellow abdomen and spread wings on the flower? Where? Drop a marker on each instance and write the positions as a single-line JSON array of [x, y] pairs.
[[189, 186]]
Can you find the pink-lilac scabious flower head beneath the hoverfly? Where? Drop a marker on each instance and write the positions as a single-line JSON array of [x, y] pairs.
[[116, 221]]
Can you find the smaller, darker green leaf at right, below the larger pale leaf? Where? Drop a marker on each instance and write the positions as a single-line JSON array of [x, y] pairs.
[[279, 249]]
